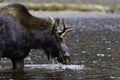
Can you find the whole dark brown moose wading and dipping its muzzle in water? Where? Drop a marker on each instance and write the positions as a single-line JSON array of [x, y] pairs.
[[20, 32]]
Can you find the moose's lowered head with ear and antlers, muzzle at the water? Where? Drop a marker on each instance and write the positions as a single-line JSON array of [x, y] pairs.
[[54, 43]]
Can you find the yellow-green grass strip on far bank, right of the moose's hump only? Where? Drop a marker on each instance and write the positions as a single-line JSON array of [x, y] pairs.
[[61, 7]]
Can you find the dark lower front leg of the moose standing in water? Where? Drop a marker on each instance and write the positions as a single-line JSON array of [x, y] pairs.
[[18, 64]]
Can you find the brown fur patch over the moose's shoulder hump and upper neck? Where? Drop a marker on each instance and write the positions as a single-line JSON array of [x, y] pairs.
[[21, 14]]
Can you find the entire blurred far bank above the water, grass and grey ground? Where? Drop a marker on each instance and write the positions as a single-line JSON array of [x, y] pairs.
[[104, 6]]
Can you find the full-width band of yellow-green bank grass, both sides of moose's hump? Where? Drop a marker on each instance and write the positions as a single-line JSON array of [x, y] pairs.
[[70, 7]]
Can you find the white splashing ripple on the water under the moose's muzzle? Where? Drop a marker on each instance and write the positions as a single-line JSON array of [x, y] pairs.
[[55, 66]]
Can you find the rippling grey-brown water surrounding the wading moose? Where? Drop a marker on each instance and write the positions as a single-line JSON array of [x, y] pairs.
[[95, 51]]
